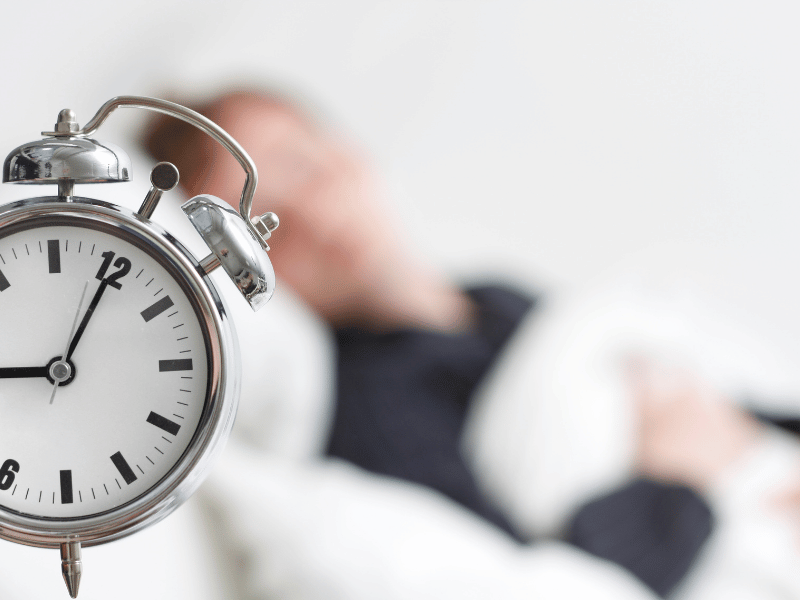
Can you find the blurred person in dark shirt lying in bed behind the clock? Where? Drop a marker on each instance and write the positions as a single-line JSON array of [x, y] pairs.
[[414, 348]]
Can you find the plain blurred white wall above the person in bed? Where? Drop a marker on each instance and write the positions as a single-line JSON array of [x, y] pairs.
[[559, 142]]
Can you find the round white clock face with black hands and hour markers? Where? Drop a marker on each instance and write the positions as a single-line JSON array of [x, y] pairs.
[[104, 369]]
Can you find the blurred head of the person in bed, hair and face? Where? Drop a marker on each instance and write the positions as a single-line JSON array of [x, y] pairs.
[[334, 233]]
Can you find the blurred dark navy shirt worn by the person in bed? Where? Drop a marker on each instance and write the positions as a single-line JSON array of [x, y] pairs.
[[403, 397]]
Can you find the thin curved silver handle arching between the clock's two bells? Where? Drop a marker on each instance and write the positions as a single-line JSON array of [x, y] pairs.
[[193, 118]]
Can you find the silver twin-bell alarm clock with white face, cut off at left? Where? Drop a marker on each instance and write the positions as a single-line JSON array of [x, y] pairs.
[[119, 365]]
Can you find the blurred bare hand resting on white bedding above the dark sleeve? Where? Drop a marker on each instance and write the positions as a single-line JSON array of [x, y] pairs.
[[688, 432]]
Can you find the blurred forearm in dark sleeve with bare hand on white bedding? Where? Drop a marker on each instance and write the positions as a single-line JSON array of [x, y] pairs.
[[688, 436]]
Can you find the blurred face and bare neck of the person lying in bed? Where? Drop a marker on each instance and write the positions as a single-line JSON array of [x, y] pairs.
[[339, 246]]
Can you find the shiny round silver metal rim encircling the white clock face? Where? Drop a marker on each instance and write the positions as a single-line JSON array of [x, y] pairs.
[[221, 400]]
